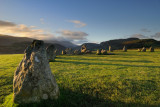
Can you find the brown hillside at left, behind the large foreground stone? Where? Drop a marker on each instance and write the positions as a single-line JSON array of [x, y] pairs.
[[17, 45]]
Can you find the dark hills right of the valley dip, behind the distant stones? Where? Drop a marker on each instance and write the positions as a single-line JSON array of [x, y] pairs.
[[130, 43]]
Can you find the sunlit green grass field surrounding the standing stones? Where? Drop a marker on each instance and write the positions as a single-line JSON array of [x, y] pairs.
[[124, 79]]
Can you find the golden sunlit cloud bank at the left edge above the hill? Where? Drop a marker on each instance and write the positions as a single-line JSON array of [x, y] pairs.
[[22, 30]]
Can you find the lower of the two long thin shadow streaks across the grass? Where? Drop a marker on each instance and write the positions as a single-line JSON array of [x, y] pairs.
[[87, 63]]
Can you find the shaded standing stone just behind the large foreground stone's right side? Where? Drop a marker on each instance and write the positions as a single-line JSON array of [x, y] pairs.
[[51, 53]]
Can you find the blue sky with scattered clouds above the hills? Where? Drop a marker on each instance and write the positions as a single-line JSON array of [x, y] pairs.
[[80, 21]]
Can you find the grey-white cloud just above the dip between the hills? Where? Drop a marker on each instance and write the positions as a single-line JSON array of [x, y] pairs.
[[73, 35]]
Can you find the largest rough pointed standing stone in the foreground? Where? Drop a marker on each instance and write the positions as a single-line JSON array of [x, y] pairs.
[[33, 80]]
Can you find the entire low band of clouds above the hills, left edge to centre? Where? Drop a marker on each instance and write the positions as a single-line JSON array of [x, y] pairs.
[[22, 30]]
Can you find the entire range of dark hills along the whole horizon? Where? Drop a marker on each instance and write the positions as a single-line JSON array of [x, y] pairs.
[[15, 45]]
